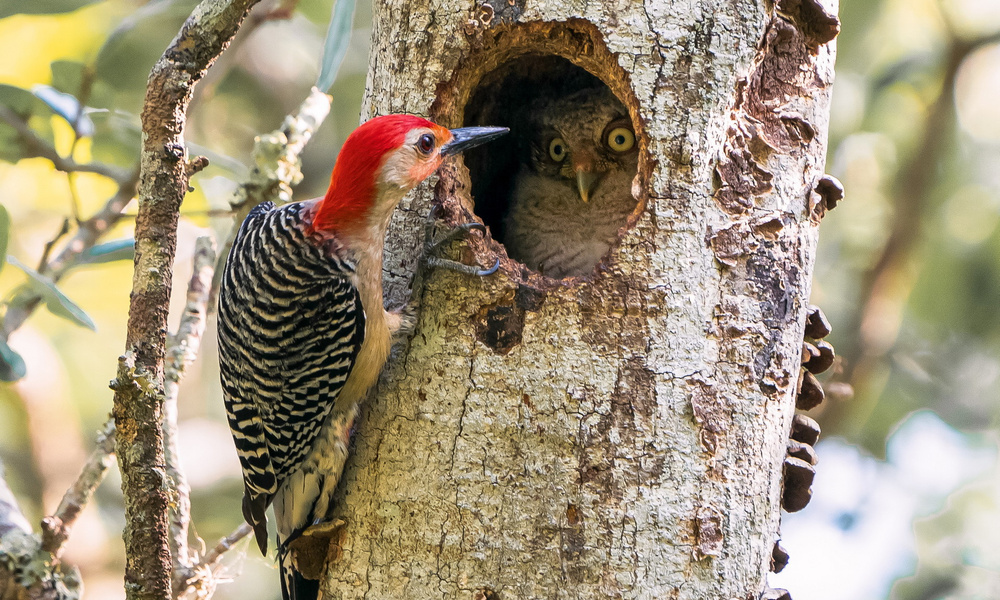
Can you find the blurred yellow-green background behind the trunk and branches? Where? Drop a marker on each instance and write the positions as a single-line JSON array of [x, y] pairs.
[[907, 496]]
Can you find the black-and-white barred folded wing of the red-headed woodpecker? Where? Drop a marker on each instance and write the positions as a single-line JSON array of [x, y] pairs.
[[290, 326]]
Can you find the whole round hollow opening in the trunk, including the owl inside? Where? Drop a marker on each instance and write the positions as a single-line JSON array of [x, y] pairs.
[[558, 190]]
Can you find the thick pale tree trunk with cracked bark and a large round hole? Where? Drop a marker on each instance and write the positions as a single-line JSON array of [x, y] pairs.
[[619, 435]]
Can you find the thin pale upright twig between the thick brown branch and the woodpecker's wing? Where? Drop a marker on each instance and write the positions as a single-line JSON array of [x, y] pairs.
[[182, 350]]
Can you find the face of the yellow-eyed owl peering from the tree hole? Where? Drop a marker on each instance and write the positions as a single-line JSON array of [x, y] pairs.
[[581, 138]]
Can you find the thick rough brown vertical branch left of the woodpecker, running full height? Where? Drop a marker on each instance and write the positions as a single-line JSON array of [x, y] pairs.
[[163, 182]]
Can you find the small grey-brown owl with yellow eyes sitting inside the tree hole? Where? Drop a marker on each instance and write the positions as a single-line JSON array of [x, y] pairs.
[[572, 192]]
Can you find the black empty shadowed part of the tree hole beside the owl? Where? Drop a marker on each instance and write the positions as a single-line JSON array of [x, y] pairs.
[[501, 99]]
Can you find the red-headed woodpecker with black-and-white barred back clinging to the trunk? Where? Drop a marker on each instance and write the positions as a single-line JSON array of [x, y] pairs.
[[303, 333]]
